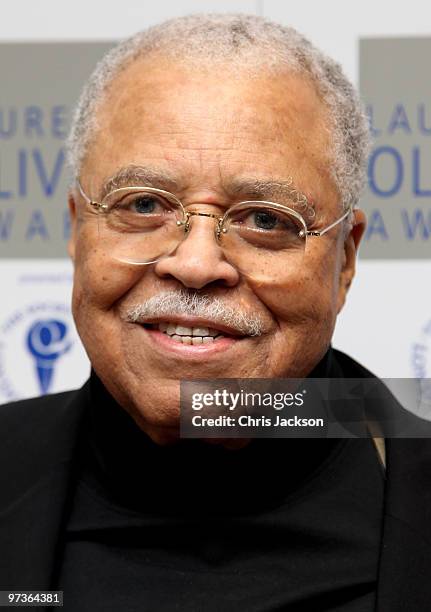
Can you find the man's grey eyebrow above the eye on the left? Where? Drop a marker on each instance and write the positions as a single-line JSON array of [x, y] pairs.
[[133, 175]]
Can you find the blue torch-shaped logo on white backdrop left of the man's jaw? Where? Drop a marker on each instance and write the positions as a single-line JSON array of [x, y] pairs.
[[47, 341]]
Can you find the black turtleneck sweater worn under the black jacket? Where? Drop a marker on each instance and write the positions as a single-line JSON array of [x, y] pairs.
[[281, 524]]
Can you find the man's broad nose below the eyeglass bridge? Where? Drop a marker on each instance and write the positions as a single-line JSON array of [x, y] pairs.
[[199, 260]]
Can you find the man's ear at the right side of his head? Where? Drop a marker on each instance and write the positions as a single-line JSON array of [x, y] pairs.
[[350, 251]]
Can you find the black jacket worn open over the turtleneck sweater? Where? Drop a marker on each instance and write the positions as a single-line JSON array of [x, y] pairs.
[[38, 440]]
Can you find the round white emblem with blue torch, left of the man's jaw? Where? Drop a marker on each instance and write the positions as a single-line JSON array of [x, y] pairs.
[[37, 344]]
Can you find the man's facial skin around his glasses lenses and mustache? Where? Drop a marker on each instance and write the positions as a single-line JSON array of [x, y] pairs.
[[207, 132]]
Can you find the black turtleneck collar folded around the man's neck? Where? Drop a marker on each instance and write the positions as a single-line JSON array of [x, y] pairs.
[[125, 466]]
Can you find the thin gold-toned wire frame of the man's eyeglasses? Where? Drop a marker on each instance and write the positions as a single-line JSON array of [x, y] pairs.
[[219, 229]]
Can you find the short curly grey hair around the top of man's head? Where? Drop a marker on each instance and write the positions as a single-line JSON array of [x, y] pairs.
[[244, 42]]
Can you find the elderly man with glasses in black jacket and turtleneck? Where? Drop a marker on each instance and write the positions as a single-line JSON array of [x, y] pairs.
[[217, 164]]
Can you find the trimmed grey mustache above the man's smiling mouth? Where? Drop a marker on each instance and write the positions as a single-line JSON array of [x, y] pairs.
[[172, 303]]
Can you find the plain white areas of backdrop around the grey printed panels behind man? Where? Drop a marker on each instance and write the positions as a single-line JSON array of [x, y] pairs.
[[389, 306]]
